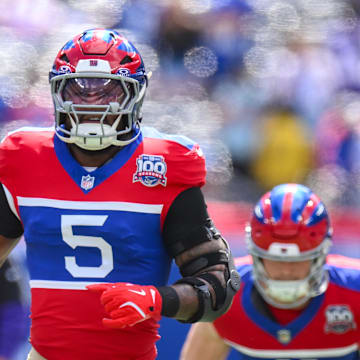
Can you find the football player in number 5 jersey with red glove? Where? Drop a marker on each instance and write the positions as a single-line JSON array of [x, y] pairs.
[[105, 205]]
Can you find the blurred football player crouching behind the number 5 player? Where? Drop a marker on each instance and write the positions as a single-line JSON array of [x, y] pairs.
[[295, 302]]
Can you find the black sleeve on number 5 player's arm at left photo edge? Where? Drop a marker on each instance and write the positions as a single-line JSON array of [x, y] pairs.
[[10, 225]]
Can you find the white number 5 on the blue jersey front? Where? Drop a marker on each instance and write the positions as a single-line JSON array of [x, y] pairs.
[[107, 261]]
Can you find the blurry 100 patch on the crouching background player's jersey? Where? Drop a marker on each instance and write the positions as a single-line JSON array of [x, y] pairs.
[[339, 319]]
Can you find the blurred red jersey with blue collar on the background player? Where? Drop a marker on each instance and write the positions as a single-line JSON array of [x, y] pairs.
[[328, 328]]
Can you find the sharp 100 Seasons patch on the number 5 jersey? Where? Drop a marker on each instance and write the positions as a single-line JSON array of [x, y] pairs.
[[151, 170]]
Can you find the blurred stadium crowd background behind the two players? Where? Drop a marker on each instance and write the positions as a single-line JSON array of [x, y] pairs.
[[269, 88]]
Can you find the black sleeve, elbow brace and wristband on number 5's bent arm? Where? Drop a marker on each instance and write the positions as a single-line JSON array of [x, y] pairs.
[[187, 225]]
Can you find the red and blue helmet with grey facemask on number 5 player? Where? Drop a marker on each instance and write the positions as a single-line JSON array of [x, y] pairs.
[[98, 74]]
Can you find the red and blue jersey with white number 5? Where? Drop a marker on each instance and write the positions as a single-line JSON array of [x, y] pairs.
[[85, 227]]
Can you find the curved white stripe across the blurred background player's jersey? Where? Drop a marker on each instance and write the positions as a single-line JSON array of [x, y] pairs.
[[301, 353]]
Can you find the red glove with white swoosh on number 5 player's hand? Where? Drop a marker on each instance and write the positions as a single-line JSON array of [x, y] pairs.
[[128, 304]]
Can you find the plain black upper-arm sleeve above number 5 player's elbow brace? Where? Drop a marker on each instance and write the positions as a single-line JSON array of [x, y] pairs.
[[185, 221]]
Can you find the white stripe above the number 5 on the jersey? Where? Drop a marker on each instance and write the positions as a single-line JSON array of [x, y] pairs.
[[91, 205]]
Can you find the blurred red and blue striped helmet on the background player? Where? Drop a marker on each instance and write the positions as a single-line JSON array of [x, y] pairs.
[[289, 223]]
